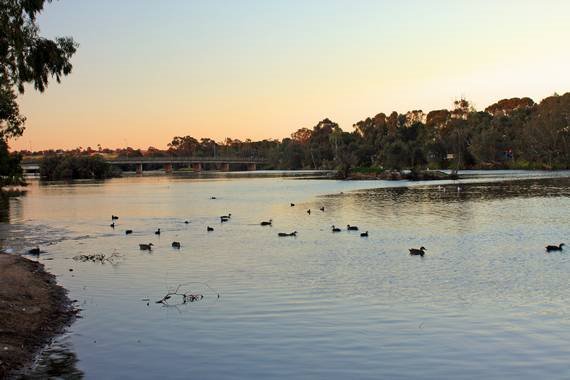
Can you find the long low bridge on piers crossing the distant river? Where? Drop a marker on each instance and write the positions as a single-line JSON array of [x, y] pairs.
[[31, 166]]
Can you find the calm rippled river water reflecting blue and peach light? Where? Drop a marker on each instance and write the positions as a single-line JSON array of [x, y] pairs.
[[485, 302]]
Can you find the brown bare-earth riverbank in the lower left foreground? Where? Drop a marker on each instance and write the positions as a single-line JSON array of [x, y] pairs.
[[33, 309]]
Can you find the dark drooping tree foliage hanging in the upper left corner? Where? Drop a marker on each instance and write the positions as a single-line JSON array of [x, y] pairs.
[[26, 57]]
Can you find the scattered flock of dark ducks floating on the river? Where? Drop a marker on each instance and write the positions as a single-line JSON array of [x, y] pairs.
[[225, 218]]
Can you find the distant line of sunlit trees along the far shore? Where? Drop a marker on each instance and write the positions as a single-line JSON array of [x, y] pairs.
[[512, 133]]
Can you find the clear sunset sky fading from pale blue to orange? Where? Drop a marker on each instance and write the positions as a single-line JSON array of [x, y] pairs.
[[149, 70]]
